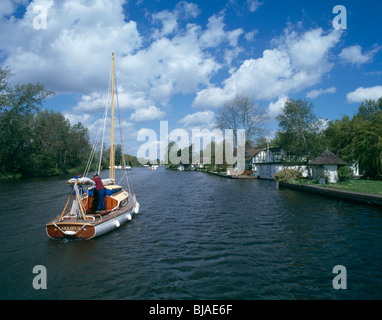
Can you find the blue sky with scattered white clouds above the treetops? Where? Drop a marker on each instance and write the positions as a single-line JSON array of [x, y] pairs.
[[180, 61]]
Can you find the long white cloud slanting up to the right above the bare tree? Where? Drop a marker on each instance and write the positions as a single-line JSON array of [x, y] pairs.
[[297, 62]]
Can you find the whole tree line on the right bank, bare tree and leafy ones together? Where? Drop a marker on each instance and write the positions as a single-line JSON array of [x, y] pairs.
[[303, 135]]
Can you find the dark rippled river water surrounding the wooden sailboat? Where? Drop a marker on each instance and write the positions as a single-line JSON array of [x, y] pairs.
[[197, 236]]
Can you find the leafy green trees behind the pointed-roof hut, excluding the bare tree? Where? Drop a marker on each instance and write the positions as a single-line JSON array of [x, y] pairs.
[[356, 139]]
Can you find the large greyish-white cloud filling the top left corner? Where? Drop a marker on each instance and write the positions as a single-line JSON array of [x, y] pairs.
[[73, 53]]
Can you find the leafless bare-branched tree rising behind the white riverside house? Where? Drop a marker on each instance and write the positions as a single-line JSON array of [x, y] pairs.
[[242, 113]]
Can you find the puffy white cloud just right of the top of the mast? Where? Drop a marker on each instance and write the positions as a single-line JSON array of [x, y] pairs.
[[170, 66]]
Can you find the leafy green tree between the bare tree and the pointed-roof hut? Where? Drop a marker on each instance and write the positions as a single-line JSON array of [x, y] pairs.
[[300, 132]]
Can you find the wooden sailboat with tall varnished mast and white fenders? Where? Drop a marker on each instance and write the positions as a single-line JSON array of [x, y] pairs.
[[81, 221]]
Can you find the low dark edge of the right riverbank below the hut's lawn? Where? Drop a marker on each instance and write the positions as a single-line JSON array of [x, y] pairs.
[[336, 193]]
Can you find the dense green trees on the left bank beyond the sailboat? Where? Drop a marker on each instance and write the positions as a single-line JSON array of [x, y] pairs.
[[34, 141]]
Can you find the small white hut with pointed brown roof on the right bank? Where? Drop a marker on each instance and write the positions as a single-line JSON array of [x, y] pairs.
[[326, 161]]
